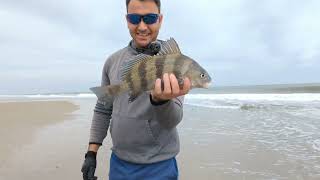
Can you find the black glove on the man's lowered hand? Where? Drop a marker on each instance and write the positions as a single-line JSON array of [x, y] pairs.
[[89, 166]]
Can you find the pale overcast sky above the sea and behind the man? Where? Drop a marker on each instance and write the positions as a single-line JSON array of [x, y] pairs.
[[61, 46]]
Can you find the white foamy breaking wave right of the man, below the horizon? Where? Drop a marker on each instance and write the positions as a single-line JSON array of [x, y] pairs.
[[254, 101]]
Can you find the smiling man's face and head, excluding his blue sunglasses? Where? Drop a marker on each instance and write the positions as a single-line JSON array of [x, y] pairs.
[[143, 33]]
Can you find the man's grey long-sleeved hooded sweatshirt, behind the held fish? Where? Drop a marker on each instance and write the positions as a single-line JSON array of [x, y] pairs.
[[141, 131]]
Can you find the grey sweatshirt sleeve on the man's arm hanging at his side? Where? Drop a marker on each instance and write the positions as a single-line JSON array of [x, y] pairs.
[[101, 114]]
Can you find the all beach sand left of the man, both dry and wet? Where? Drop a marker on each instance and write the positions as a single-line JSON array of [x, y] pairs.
[[47, 140]]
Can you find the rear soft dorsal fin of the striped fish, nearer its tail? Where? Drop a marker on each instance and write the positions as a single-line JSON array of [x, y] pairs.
[[125, 69]]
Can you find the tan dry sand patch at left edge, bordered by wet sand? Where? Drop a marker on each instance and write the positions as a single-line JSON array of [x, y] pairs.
[[19, 121]]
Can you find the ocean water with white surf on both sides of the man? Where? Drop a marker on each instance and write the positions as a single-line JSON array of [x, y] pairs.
[[242, 132]]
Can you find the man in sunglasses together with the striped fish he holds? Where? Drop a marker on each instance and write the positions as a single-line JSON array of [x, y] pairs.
[[141, 100]]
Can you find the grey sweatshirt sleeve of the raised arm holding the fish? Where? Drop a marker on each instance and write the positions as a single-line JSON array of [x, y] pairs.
[[168, 113]]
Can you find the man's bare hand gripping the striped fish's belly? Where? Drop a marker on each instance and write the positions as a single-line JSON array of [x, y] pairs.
[[171, 88]]
